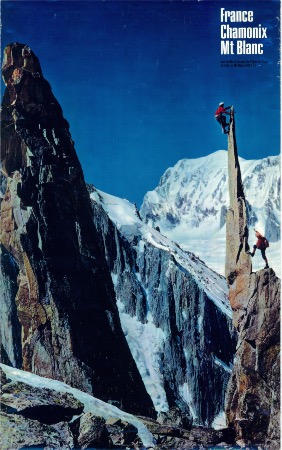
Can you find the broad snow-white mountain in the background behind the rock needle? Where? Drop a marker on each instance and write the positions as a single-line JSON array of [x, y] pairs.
[[189, 205]]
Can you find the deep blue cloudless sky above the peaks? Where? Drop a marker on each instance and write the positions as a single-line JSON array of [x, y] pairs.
[[139, 82]]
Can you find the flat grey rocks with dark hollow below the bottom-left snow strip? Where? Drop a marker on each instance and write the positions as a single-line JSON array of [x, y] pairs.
[[35, 417]]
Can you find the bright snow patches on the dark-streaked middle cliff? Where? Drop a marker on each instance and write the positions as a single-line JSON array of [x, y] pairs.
[[146, 341]]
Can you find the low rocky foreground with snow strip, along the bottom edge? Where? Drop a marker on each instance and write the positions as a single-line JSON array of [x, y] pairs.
[[54, 415]]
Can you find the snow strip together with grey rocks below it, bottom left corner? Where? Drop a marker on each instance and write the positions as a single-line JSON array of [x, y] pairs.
[[49, 414]]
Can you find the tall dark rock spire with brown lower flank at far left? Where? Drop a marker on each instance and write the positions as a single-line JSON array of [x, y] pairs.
[[60, 318]]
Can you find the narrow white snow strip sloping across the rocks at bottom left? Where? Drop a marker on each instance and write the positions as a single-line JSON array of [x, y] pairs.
[[91, 404]]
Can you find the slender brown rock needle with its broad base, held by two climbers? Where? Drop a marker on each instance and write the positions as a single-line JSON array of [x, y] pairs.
[[252, 401]]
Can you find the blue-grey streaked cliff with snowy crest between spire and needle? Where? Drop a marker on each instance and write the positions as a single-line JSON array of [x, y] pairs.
[[174, 312]]
